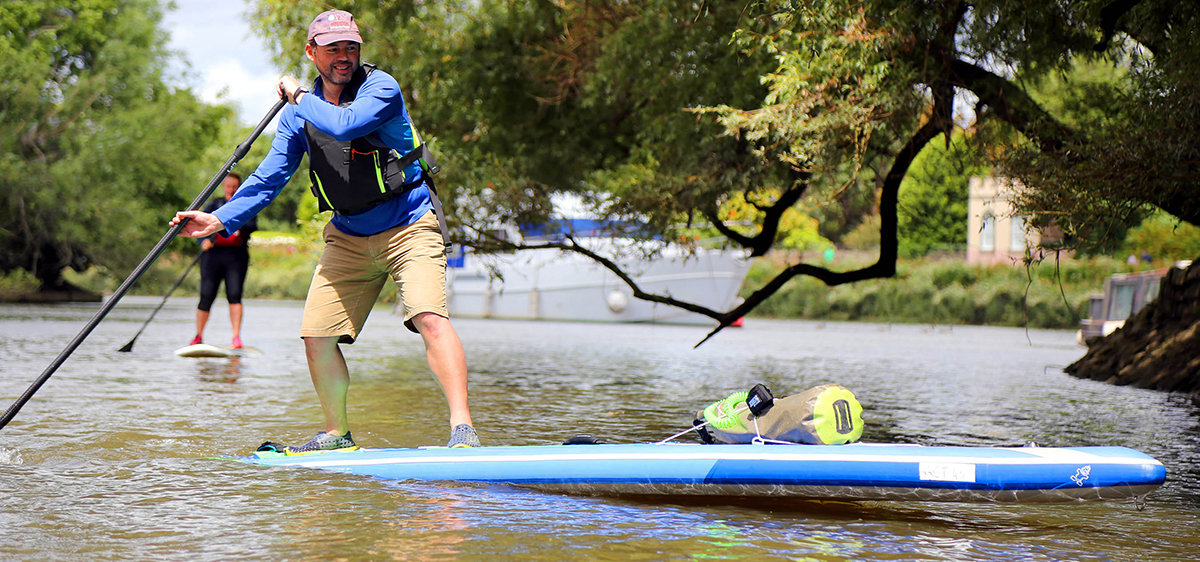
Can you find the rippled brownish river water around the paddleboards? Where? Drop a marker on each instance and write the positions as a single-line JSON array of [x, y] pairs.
[[113, 459]]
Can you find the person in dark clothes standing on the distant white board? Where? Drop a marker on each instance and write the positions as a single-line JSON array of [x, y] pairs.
[[226, 258]]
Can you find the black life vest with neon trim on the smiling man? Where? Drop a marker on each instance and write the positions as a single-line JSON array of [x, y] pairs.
[[353, 176]]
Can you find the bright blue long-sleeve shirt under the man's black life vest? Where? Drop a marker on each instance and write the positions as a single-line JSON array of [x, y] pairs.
[[379, 107]]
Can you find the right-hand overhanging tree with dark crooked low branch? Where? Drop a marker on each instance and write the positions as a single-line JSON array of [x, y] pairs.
[[887, 73]]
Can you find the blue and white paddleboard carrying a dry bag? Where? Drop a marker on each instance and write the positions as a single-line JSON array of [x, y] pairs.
[[849, 473]]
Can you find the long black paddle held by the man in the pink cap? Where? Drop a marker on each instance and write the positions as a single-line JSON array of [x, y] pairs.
[[238, 154]]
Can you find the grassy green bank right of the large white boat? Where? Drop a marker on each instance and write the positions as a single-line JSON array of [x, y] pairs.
[[944, 292]]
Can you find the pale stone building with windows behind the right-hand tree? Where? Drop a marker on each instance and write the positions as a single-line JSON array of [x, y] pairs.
[[995, 235]]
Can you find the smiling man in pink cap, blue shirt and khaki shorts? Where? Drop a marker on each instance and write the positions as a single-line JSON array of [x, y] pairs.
[[368, 165]]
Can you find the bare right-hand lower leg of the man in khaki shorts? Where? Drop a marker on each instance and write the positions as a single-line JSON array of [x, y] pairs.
[[448, 362]]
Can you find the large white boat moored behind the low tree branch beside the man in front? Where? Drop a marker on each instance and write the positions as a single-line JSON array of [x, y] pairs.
[[555, 285]]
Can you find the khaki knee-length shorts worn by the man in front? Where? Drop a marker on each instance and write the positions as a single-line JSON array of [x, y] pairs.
[[353, 270]]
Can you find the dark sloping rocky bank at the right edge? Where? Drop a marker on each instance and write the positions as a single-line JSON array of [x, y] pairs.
[[1159, 348]]
